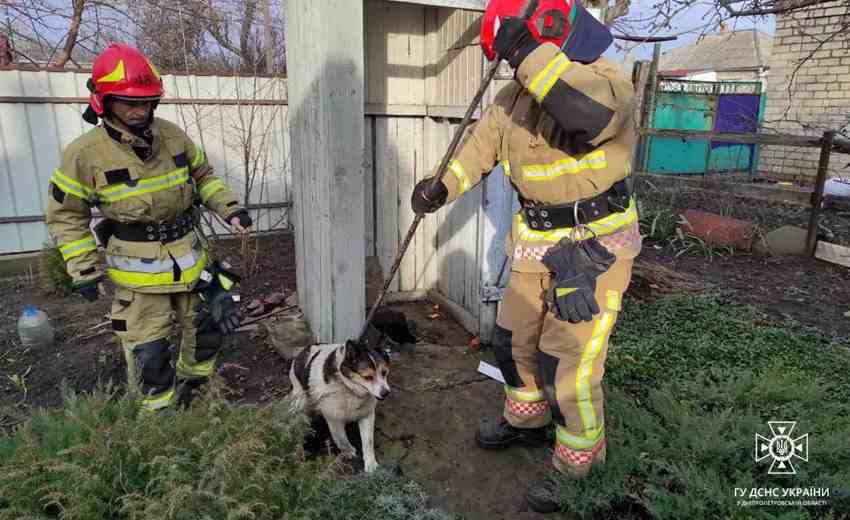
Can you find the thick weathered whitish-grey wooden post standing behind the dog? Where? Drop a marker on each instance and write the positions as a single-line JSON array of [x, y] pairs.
[[324, 43]]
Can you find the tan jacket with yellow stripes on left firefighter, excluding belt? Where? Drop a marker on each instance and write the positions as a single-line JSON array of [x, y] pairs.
[[99, 170]]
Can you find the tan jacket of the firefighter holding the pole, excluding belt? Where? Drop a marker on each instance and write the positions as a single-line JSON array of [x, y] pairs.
[[563, 132]]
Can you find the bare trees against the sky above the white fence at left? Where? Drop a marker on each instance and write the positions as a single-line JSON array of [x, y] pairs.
[[177, 33]]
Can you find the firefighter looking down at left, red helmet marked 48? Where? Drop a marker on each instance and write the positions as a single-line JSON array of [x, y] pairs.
[[144, 174]]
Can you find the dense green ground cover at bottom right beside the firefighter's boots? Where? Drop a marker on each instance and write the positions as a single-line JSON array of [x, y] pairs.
[[689, 382]]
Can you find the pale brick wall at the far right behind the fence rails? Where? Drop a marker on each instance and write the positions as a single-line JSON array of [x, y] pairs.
[[819, 94]]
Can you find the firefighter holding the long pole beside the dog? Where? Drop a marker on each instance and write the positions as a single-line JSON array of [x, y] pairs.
[[563, 132]]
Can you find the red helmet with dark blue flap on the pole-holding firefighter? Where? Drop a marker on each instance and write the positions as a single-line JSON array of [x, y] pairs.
[[566, 23]]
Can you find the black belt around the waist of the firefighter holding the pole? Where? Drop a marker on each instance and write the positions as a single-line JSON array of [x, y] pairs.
[[543, 217]]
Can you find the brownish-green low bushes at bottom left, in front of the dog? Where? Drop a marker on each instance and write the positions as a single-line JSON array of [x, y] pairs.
[[100, 457]]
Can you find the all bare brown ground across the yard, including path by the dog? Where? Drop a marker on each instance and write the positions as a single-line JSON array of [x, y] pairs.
[[429, 422]]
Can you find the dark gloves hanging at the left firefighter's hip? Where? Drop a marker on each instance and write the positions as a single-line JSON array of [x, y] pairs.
[[219, 308]]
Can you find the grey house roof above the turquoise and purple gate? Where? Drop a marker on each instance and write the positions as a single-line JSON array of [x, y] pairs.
[[725, 51]]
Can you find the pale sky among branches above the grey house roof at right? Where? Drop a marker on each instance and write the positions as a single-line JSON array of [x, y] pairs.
[[693, 18]]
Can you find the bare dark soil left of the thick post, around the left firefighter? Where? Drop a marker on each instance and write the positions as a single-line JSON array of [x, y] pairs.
[[86, 352]]
